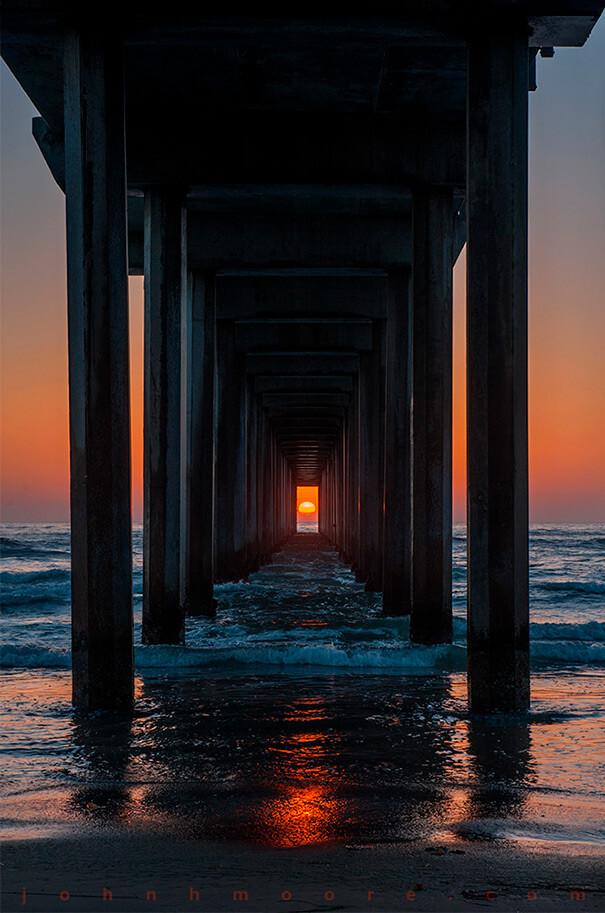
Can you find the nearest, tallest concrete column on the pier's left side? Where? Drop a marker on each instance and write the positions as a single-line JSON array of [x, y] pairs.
[[99, 406]]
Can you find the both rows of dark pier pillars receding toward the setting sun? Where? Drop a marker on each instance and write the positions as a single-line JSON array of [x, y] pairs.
[[411, 531]]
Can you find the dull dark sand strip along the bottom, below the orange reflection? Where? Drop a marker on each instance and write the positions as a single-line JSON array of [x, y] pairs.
[[145, 872]]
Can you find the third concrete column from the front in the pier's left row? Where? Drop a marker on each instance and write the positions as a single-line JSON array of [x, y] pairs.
[[198, 545]]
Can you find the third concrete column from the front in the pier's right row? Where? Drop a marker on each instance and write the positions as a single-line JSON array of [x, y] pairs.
[[397, 579]]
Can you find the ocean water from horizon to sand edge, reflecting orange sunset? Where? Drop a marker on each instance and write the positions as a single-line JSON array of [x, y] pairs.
[[301, 717]]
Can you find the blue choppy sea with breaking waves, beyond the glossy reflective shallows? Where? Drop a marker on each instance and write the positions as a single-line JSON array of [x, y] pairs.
[[294, 614]]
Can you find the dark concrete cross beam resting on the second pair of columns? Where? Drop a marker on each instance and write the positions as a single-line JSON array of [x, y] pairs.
[[282, 147]]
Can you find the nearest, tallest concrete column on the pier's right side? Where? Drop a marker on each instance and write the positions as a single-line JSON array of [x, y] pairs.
[[498, 613]]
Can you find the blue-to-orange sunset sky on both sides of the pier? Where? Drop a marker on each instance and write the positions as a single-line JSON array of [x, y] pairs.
[[566, 306]]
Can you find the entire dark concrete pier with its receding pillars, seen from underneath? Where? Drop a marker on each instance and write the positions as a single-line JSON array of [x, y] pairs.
[[295, 191]]
